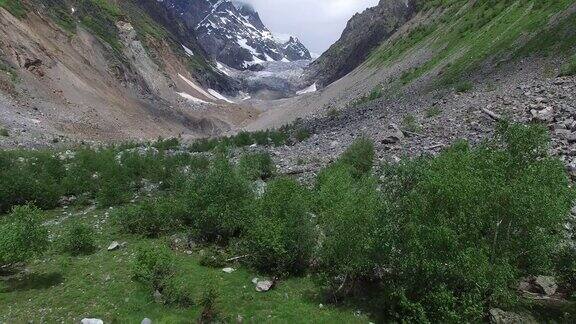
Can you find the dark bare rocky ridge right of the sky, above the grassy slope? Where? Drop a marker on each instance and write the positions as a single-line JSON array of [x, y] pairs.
[[364, 32]]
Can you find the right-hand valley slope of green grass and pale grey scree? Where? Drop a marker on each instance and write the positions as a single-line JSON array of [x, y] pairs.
[[446, 44]]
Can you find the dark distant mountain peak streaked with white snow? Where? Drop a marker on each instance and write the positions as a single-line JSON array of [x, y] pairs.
[[232, 33]]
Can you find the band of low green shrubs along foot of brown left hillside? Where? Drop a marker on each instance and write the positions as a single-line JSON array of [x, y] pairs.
[[110, 175]]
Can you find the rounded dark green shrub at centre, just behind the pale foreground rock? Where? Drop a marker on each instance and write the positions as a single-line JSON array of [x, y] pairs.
[[281, 238]]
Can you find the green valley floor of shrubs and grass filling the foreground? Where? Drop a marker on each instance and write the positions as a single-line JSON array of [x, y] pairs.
[[165, 232]]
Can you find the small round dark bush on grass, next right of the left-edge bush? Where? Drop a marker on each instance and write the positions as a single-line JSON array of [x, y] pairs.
[[78, 239]]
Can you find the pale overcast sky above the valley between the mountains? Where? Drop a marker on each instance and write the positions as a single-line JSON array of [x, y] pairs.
[[318, 23]]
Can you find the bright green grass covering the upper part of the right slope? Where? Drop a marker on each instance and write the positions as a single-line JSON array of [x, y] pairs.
[[467, 35]]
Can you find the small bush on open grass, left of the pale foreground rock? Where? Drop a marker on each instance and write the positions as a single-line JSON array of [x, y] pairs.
[[153, 266]]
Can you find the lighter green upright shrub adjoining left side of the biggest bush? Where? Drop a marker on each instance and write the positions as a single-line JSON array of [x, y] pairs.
[[349, 211]]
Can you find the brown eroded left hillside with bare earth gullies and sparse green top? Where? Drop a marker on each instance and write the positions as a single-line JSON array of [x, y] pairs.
[[103, 69]]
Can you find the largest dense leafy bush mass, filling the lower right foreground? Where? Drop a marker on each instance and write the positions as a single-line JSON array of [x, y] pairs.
[[447, 236]]
